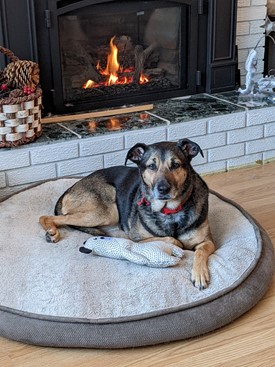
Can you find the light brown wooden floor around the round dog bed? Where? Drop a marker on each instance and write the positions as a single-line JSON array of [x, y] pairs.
[[248, 341]]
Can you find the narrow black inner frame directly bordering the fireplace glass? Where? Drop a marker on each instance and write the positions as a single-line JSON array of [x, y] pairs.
[[130, 99]]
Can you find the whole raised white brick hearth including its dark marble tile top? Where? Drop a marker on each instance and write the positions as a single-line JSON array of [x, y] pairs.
[[231, 130]]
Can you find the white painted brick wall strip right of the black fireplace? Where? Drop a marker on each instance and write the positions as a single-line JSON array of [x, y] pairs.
[[250, 16]]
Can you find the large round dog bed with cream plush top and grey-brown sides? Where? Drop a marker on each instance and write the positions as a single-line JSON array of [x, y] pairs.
[[54, 295]]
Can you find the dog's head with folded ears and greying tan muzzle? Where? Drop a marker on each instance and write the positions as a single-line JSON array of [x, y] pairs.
[[164, 166]]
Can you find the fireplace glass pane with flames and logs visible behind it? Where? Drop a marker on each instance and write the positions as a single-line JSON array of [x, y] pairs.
[[116, 51]]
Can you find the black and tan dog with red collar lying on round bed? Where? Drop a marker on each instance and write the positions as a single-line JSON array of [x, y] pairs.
[[163, 198]]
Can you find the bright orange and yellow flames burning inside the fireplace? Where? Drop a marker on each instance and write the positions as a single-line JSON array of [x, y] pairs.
[[113, 70]]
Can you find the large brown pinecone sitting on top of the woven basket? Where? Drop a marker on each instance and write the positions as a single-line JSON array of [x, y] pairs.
[[20, 73]]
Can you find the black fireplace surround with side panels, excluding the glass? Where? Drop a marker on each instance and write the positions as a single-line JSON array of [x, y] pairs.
[[30, 32]]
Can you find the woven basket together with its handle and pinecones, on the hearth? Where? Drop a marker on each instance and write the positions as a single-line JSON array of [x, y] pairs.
[[20, 115]]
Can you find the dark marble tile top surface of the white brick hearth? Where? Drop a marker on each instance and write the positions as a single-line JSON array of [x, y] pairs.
[[165, 112]]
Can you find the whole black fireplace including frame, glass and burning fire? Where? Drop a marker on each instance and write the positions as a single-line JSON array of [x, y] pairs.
[[105, 53]]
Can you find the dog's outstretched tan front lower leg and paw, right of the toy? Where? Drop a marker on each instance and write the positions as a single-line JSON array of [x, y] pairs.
[[200, 271]]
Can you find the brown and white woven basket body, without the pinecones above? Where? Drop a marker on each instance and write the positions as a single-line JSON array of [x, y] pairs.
[[20, 123]]
